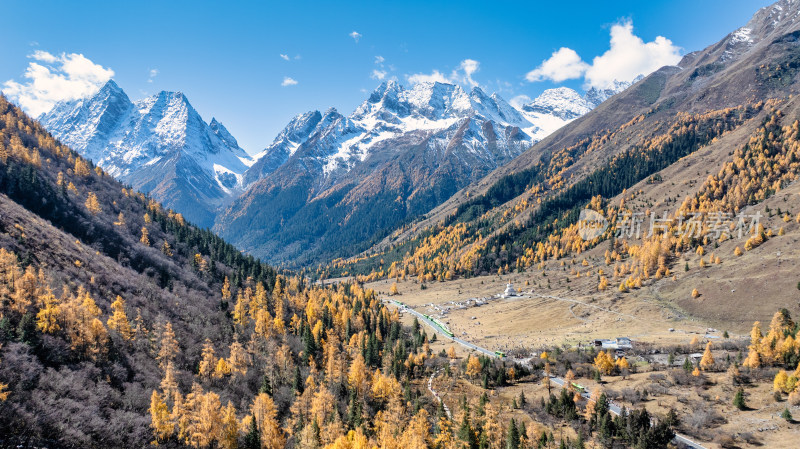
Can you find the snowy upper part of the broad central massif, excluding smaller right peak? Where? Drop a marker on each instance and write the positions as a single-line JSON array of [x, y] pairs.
[[389, 113]]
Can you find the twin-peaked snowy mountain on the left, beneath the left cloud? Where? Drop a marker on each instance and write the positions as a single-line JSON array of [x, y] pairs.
[[159, 145]]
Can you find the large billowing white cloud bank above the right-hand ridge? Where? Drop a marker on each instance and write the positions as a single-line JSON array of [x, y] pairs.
[[628, 57]]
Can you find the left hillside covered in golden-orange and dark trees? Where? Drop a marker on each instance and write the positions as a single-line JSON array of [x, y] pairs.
[[121, 325]]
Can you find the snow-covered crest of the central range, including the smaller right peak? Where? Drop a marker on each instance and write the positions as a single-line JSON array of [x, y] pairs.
[[392, 111]]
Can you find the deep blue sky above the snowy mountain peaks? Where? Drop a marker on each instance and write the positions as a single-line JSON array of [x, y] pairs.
[[227, 57]]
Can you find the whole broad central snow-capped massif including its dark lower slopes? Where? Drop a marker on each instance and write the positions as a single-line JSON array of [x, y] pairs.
[[329, 182]]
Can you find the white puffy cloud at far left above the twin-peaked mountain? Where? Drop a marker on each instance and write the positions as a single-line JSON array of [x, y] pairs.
[[52, 78]]
